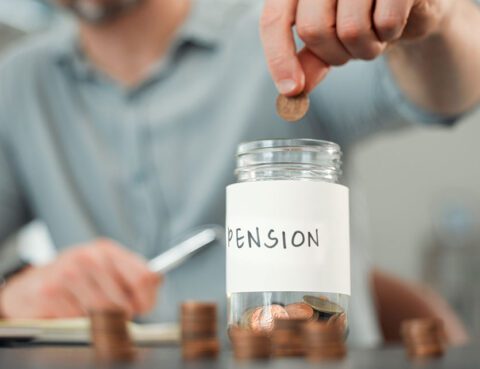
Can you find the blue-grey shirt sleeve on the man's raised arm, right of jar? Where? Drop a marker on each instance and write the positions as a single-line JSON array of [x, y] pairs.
[[362, 98]]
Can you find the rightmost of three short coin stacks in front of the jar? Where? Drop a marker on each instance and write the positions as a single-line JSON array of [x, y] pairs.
[[324, 341]]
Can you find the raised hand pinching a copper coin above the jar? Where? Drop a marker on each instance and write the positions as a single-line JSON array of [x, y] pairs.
[[336, 31]]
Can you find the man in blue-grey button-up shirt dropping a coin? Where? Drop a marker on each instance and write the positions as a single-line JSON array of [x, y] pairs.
[[124, 133]]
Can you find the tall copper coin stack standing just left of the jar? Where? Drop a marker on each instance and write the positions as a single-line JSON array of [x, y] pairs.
[[199, 330]]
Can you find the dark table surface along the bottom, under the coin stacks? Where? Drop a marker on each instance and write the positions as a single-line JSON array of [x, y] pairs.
[[48, 357]]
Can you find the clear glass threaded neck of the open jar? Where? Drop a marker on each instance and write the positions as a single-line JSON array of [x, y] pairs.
[[295, 159]]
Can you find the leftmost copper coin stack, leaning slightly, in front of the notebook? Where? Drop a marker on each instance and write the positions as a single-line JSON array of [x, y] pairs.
[[109, 332]]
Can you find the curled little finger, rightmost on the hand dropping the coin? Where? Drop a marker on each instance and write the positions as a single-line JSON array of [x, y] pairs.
[[390, 18]]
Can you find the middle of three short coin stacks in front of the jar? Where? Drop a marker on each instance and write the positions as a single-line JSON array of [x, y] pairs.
[[287, 337]]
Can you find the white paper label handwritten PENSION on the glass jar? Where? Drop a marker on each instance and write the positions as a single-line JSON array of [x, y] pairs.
[[288, 236]]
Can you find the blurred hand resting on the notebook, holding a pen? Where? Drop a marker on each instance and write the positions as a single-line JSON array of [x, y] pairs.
[[99, 275]]
